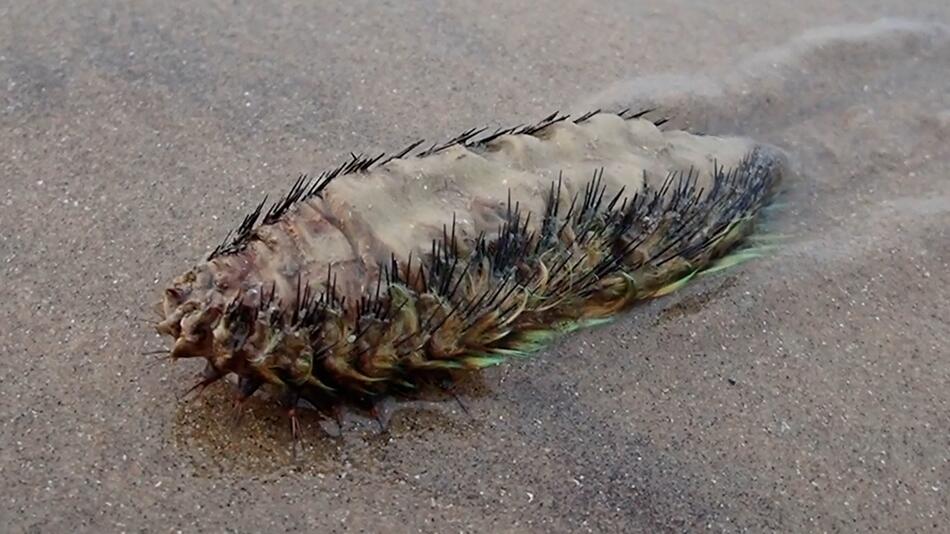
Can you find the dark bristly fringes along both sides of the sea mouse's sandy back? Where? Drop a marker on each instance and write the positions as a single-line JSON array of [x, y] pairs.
[[471, 303]]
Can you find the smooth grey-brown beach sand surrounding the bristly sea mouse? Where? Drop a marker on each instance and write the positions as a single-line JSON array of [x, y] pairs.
[[805, 392]]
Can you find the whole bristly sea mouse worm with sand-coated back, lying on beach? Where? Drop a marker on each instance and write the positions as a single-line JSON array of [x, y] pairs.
[[370, 279]]
